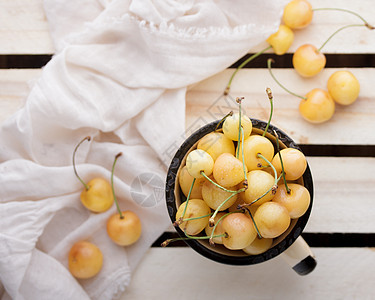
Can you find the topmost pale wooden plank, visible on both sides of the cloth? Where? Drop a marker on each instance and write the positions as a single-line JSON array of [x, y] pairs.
[[24, 28]]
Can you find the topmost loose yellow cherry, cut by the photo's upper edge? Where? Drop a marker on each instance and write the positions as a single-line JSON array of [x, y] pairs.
[[297, 14]]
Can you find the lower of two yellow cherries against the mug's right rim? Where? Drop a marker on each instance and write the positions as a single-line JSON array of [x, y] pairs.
[[297, 201]]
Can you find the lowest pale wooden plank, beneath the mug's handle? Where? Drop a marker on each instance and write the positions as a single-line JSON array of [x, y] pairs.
[[184, 274]]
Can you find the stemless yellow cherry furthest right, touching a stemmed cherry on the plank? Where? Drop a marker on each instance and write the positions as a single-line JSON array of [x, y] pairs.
[[344, 87]]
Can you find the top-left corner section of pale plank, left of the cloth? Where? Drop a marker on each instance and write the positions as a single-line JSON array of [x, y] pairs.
[[24, 28]]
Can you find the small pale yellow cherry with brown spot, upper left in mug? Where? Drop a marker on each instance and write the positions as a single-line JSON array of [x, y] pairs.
[[197, 161]]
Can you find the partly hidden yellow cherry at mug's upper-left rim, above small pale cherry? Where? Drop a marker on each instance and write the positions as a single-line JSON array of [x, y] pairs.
[[215, 144]]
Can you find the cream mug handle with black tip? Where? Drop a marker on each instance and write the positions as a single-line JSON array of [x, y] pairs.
[[300, 257]]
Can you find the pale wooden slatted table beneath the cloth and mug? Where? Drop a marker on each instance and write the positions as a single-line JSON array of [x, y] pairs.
[[341, 154]]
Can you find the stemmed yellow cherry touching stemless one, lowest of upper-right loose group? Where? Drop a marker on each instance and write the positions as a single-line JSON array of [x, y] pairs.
[[318, 107]]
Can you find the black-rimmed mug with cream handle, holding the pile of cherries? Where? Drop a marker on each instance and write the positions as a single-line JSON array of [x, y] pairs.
[[290, 244]]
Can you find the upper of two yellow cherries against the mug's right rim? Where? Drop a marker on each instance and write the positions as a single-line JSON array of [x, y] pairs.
[[294, 162]]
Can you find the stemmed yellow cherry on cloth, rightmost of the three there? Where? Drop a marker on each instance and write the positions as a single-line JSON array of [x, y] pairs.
[[124, 230]]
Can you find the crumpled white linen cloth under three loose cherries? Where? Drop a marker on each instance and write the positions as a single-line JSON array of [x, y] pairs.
[[119, 74]]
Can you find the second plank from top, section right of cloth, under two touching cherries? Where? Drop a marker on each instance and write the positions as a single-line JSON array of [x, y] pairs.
[[350, 125]]
